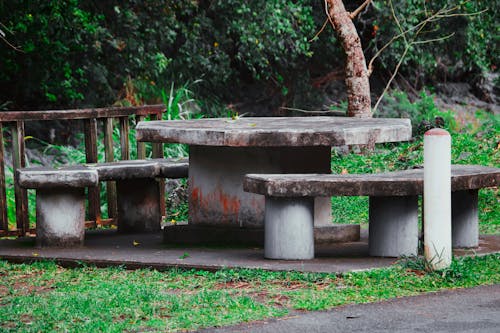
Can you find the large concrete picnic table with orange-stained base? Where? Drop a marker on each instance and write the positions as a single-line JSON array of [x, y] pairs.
[[223, 150]]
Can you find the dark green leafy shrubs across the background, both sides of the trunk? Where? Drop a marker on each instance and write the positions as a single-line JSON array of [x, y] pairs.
[[77, 53]]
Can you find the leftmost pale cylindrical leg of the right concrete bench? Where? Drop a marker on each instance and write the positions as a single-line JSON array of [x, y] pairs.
[[288, 228]]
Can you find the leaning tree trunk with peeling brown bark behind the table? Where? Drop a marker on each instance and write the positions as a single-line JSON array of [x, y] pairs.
[[356, 73]]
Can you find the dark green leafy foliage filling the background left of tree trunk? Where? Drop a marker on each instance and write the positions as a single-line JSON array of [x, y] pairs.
[[77, 53]]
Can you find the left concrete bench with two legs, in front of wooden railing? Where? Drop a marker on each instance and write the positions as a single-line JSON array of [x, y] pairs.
[[138, 195]]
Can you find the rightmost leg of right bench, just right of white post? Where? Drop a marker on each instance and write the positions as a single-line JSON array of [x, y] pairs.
[[464, 218]]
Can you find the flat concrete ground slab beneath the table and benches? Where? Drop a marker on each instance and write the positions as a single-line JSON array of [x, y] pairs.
[[108, 248]]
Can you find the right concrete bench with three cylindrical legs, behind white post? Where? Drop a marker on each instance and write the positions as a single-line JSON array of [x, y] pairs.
[[393, 208]]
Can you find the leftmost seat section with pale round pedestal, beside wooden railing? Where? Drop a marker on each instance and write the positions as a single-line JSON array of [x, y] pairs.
[[60, 203]]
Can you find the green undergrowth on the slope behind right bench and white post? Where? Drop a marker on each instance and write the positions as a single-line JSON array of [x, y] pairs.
[[474, 141]]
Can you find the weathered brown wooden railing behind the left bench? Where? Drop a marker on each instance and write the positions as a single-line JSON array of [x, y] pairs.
[[92, 119]]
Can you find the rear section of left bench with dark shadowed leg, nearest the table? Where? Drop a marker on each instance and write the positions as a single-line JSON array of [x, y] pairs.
[[138, 192]]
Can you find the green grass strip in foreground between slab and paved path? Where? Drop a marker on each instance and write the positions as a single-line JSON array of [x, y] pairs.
[[46, 297]]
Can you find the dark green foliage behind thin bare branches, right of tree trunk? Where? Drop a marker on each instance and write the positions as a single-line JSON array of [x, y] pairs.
[[472, 28]]
